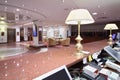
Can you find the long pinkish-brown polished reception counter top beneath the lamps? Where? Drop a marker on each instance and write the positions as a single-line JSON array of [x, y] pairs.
[[35, 63]]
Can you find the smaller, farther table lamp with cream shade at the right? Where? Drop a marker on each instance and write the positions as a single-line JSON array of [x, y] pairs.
[[110, 27]]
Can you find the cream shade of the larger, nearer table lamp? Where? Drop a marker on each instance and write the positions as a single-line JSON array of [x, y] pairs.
[[81, 15]]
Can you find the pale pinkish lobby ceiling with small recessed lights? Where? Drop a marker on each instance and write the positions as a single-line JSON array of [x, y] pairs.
[[54, 12]]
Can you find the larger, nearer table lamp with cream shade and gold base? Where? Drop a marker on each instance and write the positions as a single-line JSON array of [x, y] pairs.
[[77, 17]]
